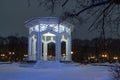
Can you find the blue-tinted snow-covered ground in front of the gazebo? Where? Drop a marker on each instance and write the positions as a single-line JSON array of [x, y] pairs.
[[54, 72]]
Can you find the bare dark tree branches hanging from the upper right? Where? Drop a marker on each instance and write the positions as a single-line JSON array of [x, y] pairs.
[[99, 14]]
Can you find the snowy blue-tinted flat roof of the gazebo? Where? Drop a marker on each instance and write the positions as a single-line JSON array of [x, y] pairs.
[[46, 20]]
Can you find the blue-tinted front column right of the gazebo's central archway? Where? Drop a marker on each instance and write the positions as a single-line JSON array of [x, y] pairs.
[[58, 48]]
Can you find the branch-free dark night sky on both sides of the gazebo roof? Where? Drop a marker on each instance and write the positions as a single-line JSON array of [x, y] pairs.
[[13, 13]]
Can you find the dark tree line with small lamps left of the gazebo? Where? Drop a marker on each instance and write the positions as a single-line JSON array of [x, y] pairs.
[[13, 48]]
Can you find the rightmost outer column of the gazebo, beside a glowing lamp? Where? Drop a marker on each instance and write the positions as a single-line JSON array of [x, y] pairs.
[[68, 49]]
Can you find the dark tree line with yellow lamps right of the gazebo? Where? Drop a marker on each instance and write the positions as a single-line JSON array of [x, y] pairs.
[[95, 50]]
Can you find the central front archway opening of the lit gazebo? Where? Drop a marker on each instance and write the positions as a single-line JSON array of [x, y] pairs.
[[48, 51]]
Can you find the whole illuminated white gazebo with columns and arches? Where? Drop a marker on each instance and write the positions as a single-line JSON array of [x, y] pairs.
[[45, 30]]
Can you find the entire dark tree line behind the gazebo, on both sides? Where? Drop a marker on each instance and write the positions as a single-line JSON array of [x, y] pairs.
[[13, 48]]
